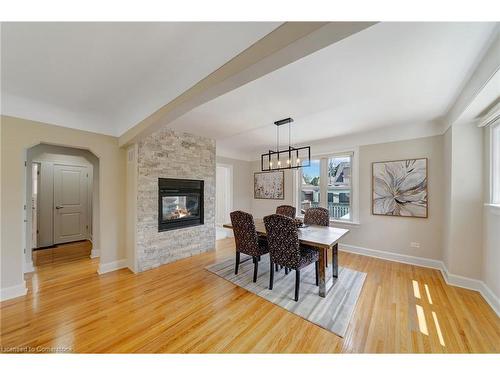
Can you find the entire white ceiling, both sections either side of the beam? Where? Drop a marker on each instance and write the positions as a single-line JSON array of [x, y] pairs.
[[106, 77]]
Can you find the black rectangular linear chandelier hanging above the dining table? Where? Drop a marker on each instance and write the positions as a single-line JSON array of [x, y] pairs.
[[289, 158]]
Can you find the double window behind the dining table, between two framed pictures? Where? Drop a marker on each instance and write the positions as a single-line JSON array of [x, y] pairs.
[[327, 182]]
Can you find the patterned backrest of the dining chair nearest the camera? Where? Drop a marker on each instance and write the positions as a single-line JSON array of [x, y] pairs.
[[283, 240]]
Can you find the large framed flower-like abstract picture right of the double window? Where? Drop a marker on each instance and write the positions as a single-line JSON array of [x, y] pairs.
[[399, 188]]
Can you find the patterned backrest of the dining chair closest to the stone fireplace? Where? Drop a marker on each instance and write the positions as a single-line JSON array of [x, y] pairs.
[[245, 235]]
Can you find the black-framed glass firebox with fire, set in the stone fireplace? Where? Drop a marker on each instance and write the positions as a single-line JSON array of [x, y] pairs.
[[180, 203]]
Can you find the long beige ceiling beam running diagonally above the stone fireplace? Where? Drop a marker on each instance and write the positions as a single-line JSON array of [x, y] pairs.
[[284, 45]]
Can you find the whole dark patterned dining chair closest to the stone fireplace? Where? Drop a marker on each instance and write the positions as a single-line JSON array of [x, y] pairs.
[[247, 240]]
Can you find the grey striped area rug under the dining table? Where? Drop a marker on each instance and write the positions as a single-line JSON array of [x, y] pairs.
[[332, 312]]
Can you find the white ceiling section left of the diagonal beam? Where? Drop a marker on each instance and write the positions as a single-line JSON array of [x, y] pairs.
[[106, 77]]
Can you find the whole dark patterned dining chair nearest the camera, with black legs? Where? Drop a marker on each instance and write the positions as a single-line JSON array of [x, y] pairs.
[[285, 249]]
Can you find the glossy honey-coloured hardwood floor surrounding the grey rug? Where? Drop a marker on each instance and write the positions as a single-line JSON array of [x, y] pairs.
[[182, 308]]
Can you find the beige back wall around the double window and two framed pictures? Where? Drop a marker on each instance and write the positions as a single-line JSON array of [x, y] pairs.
[[390, 234]]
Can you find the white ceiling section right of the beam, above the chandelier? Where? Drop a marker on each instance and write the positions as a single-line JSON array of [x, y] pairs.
[[393, 75]]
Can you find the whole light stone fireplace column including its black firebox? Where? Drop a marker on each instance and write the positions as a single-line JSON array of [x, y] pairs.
[[175, 197]]
